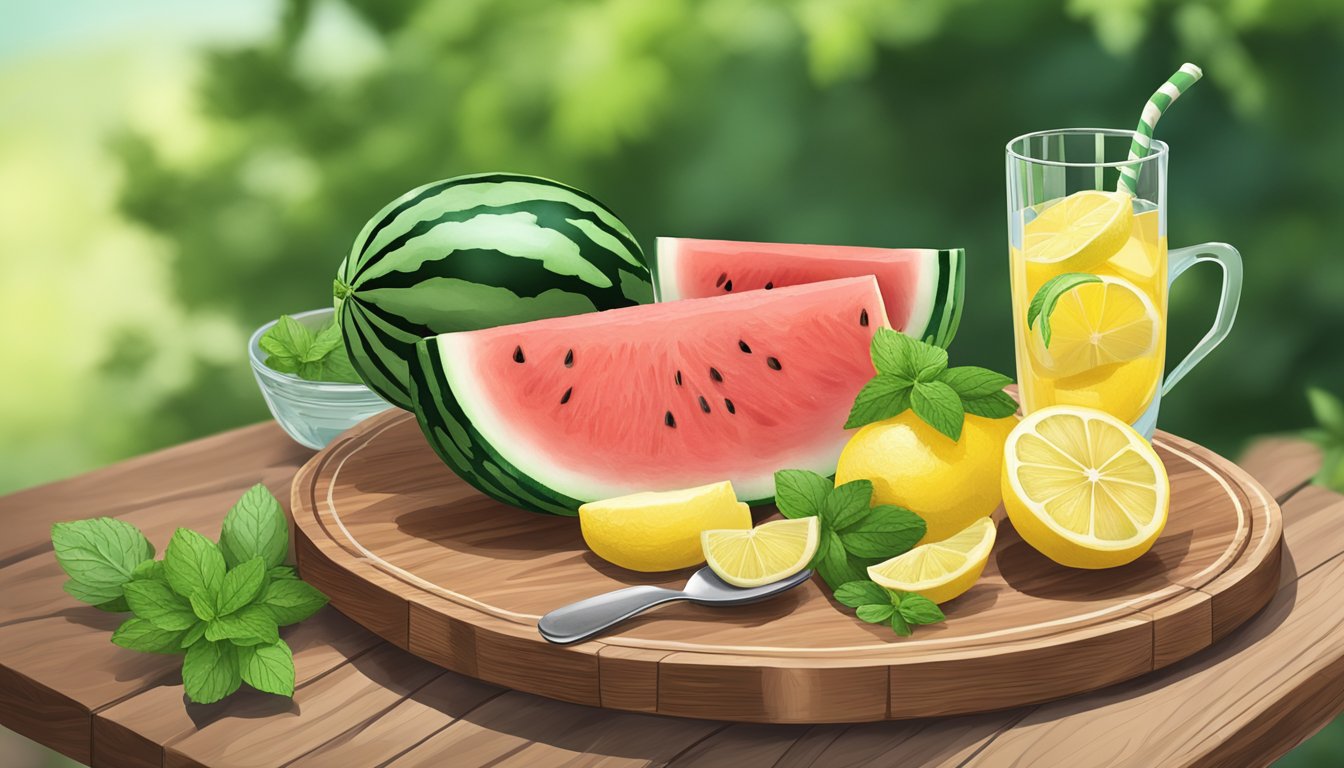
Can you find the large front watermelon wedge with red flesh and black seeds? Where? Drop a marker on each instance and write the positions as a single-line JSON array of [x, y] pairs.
[[553, 414]]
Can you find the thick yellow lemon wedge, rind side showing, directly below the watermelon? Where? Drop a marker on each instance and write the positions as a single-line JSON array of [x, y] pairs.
[[661, 531]]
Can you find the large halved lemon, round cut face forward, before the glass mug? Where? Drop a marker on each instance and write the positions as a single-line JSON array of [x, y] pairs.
[[1084, 488]]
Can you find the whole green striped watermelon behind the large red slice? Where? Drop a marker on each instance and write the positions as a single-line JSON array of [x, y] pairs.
[[478, 252]]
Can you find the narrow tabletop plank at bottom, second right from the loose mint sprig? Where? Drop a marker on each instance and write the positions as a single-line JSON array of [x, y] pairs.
[[428, 711]]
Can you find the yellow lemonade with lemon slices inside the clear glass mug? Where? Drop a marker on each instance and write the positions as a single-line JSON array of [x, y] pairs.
[[1107, 337]]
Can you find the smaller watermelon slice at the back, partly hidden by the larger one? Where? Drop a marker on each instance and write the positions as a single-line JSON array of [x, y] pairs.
[[923, 289]]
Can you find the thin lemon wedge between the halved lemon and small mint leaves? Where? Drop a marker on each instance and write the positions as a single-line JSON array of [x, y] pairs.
[[944, 570]]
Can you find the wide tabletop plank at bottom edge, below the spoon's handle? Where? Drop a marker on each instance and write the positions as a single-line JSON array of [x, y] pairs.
[[526, 731]]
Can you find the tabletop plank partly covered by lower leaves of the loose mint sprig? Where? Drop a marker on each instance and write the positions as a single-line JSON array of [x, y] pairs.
[[134, 732]]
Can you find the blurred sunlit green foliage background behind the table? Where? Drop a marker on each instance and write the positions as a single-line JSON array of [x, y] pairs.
[[175, 174]]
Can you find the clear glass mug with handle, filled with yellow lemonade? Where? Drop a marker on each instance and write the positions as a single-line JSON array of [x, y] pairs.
[[1091, 271]]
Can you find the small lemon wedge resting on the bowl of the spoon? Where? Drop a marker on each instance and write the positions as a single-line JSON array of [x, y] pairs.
[[764, 555]]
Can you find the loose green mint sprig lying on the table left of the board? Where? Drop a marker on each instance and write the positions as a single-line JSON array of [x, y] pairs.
[[222, 605]]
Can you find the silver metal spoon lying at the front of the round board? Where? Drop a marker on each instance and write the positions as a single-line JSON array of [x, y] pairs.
[[587, 618]]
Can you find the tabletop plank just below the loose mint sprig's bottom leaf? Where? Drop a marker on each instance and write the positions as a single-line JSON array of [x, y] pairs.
[[267, 731]]
